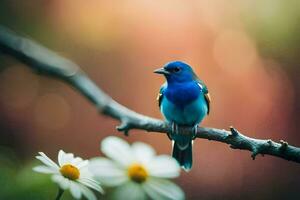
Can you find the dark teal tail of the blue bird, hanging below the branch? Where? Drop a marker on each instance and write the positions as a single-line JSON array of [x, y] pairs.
[[184, 156]]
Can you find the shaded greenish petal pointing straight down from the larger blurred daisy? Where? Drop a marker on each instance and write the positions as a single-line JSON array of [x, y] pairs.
[[130, 190]]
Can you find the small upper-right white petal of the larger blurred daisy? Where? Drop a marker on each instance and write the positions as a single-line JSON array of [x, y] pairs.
[[143, 152]]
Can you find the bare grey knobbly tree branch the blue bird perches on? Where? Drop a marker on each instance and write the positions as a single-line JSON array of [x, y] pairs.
[[47, 62]]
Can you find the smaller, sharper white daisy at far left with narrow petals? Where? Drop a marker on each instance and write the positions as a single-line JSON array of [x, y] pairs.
[[71, 173]]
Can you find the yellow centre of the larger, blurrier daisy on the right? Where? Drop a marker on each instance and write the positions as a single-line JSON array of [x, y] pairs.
[[137, 173]]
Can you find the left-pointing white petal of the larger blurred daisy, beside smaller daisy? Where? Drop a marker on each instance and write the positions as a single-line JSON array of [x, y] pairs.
[[107, 172]]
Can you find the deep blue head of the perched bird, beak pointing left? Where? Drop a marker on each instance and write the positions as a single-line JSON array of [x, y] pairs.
[[177, 72]]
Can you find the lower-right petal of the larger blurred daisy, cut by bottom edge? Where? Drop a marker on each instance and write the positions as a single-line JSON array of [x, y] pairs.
[[163, 190]]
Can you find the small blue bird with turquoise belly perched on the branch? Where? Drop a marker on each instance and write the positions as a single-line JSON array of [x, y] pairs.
[[184, 101]]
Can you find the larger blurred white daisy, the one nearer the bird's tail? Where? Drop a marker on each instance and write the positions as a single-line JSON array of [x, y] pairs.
[[135, 171]]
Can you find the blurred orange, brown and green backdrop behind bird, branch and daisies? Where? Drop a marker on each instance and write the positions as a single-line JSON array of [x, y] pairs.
[[247, 52]]
